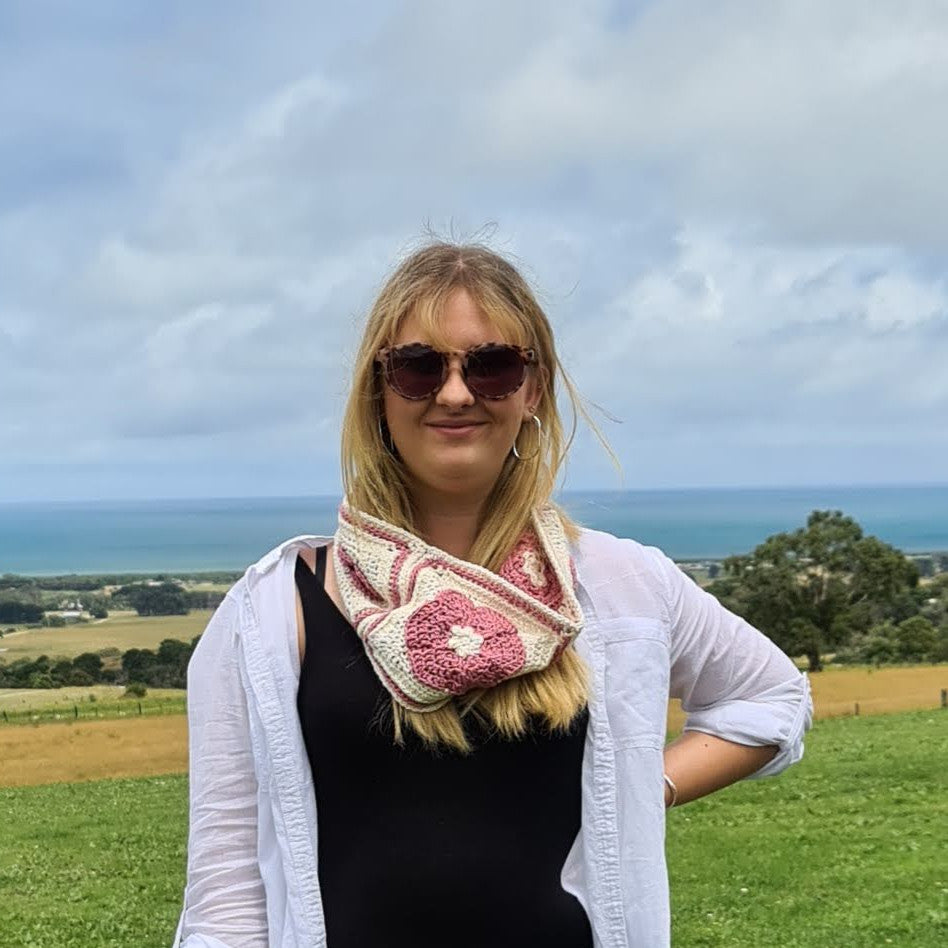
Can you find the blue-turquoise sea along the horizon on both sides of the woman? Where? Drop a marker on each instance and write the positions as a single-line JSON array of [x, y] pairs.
[[192, 535]]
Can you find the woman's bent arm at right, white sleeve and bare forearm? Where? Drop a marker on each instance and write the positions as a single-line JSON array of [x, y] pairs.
[[747, 704]]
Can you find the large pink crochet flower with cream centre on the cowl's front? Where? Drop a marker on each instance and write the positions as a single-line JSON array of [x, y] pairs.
[[454, 646]]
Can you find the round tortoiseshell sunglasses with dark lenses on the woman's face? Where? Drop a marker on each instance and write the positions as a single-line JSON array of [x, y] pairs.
[[493, 370]]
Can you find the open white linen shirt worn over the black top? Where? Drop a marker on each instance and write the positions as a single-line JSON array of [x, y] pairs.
[[650, 633]]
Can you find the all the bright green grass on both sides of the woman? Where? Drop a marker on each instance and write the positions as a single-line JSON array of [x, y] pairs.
[[845, 850]]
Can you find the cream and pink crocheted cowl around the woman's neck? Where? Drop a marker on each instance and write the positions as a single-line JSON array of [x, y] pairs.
[[435, 626]]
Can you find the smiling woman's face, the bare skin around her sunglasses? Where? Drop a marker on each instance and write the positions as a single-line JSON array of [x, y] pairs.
[[454, 441]]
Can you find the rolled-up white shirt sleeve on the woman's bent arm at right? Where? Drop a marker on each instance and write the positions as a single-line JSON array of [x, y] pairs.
[[732, 680]]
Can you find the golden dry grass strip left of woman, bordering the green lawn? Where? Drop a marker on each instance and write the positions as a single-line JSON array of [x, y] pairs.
[[93, 750]]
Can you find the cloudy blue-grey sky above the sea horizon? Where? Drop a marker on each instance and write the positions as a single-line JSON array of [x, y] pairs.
[[734, 214]]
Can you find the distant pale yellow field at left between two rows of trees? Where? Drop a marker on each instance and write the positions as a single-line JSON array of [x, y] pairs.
[[123, 632]]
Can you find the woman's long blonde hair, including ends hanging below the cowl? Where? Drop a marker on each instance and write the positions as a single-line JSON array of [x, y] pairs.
[[375, 480]]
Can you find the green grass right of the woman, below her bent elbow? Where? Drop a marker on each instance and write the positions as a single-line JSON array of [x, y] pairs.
[[847, 849]]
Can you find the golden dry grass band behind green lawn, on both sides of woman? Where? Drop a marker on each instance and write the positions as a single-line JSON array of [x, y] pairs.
[[91, 750]]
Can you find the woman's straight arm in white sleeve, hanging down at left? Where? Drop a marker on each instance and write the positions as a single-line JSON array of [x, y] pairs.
[[225, 902]]
